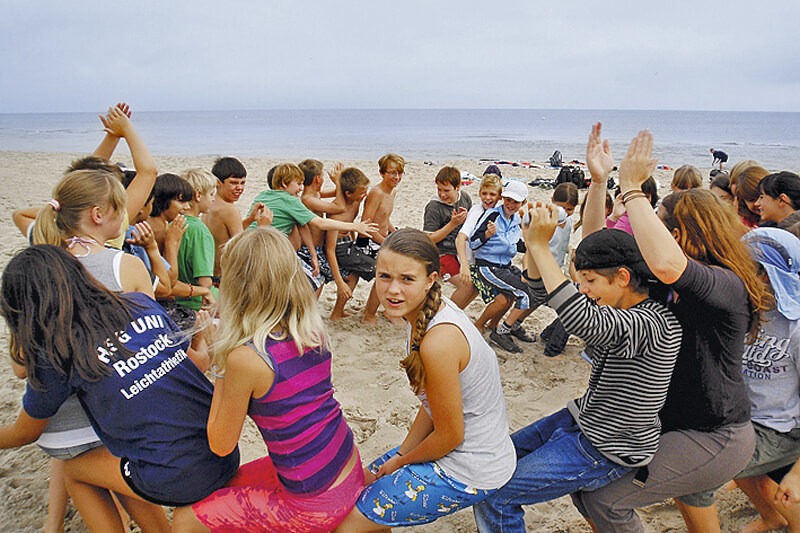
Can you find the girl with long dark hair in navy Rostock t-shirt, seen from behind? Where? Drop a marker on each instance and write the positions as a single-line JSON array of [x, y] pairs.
[[129, 366]]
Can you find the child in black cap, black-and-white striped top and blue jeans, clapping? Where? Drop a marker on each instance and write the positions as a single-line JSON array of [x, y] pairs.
[[633, 342]]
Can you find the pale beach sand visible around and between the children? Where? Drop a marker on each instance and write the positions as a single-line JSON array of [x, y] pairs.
[[370, 385]]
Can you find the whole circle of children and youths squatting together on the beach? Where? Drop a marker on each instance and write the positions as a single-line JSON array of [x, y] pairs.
[[116, 391]]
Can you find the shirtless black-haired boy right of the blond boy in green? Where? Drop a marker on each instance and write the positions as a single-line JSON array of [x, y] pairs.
[[224, 219]]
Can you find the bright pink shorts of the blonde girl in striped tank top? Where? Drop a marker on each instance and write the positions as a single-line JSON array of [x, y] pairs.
[[254, 500]]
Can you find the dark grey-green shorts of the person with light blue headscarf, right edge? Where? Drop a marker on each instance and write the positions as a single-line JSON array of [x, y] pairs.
[[773, 450]]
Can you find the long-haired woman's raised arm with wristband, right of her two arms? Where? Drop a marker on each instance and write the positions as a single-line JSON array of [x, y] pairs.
[[658, 246]]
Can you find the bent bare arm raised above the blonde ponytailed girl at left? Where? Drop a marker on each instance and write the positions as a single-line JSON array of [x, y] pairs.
[[116, 122]]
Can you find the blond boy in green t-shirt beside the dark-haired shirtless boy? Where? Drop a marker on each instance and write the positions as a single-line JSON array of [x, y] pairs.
[[196, 252]]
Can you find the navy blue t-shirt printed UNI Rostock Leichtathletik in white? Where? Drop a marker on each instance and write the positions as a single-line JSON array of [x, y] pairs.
[[152, 408]]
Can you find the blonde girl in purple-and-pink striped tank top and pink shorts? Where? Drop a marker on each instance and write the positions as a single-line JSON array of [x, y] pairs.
[[272, 352]]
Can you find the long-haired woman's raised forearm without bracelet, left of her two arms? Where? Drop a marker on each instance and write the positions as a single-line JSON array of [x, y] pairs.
[[600, 162]]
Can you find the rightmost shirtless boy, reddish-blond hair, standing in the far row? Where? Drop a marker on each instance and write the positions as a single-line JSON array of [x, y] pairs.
[[378, 209]]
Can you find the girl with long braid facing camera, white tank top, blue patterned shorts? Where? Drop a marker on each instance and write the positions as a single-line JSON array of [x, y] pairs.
[[458, 450]]
